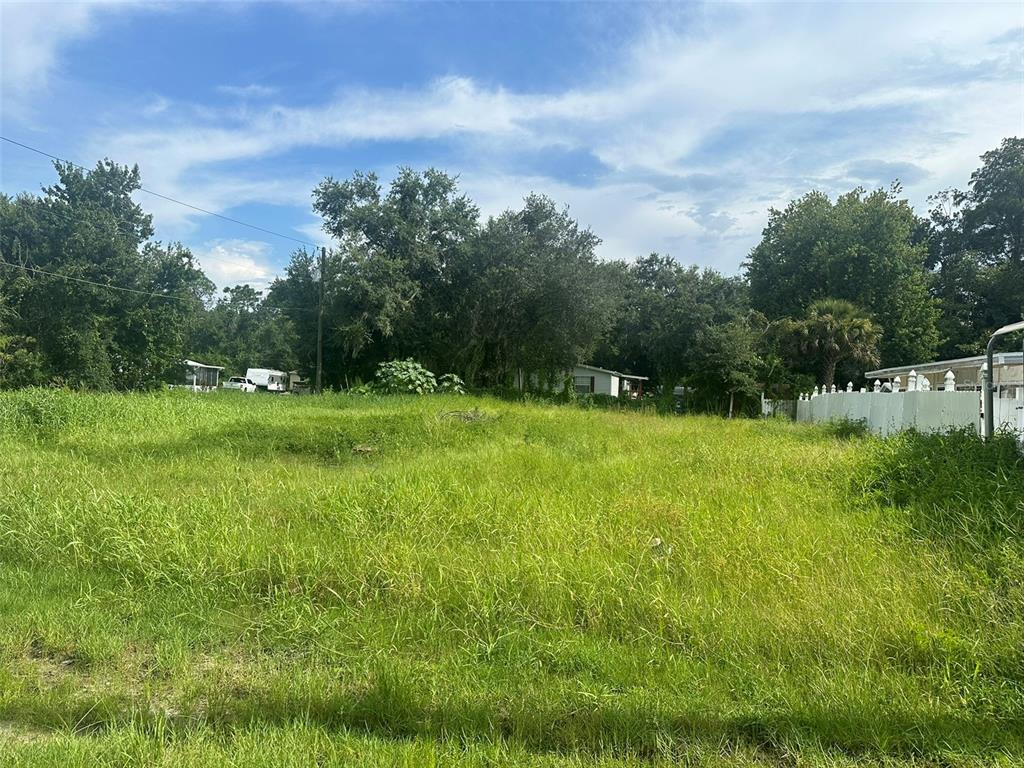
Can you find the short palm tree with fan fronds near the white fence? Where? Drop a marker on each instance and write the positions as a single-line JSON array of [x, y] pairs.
[[837, 330]]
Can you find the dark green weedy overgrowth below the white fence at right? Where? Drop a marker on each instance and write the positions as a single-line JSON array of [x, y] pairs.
[[964, 498]]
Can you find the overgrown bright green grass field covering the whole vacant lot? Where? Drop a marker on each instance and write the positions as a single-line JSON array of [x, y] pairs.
[[257, 581]]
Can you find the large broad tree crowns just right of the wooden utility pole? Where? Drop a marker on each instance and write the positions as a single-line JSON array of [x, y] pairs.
[[419, 276]]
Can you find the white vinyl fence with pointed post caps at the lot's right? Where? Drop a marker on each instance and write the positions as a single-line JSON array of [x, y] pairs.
[[923, 410]]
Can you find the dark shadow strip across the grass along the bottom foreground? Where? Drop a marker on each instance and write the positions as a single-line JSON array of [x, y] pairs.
[[391, 712]]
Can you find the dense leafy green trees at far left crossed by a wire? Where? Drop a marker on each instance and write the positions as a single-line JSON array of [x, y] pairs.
[[87, 230]]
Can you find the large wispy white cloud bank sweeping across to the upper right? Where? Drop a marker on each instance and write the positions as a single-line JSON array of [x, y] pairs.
[[700, 126]]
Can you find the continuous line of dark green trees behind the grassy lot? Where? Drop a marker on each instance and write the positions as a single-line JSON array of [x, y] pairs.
[[89, 300]]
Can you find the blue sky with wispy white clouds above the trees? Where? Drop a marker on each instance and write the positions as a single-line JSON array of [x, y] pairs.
[[664, 127]]
